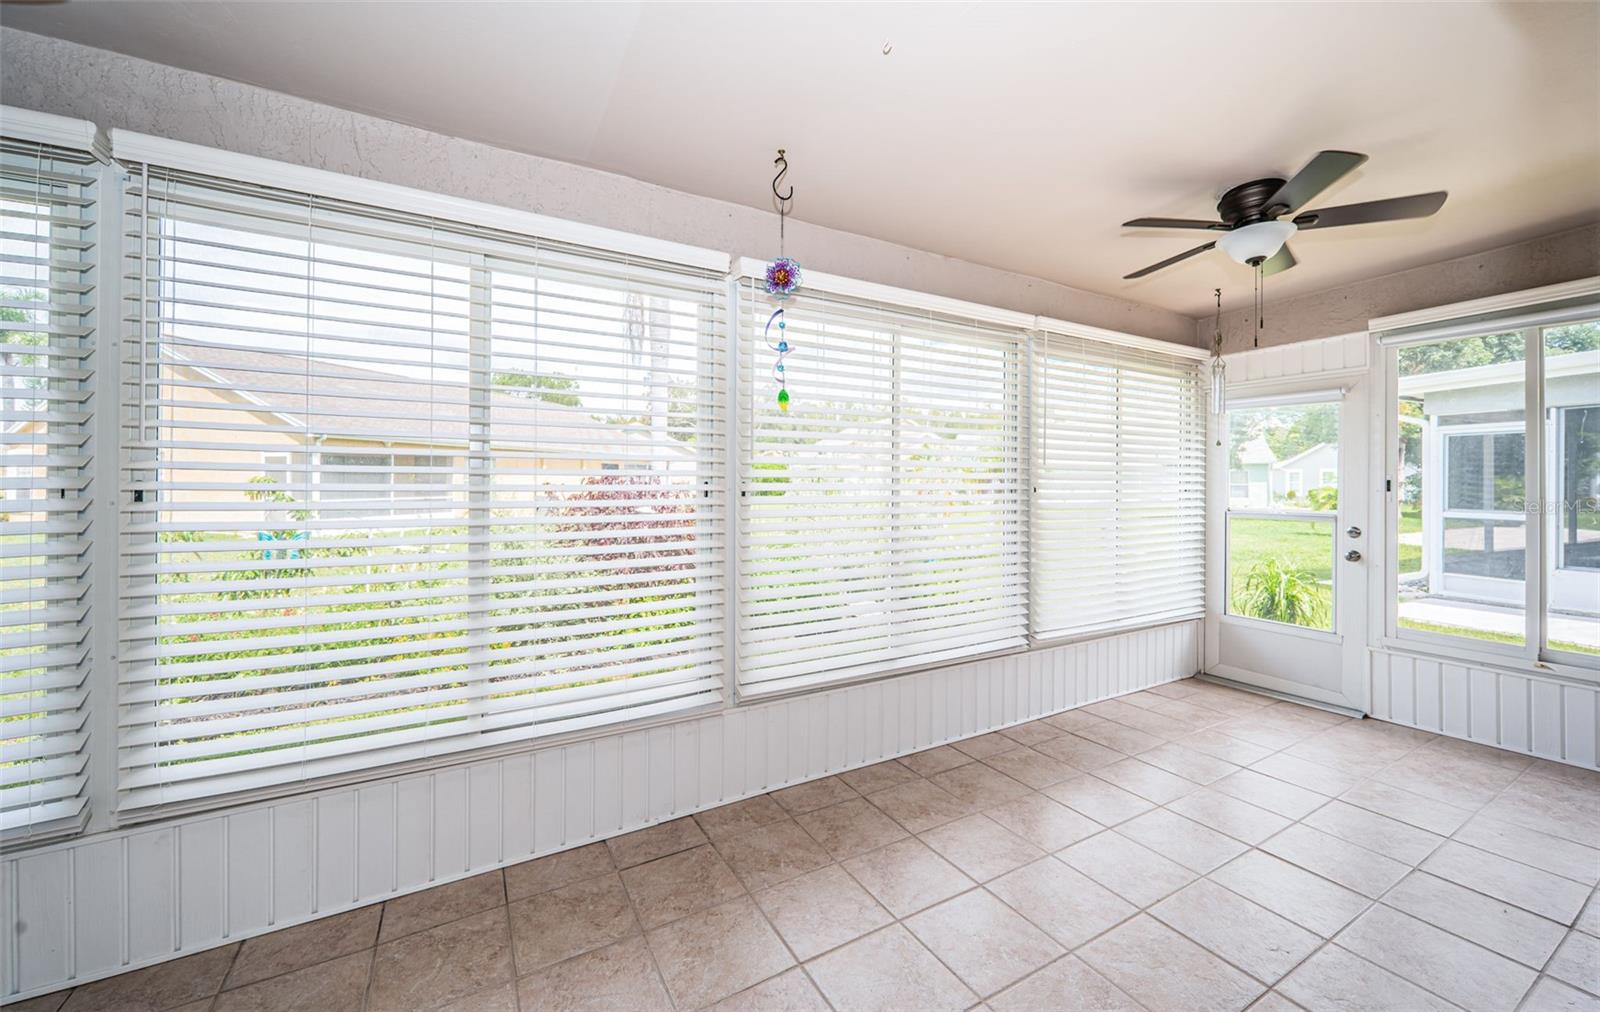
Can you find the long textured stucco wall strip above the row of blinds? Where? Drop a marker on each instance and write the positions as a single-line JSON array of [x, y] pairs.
[[114, 90]]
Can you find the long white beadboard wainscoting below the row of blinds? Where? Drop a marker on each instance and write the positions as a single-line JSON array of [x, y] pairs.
[[100, 906]]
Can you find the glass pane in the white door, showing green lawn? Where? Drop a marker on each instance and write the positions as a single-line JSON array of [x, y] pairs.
[[1279, 537]]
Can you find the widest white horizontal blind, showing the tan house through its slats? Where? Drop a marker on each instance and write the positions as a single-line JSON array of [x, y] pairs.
[[398, 488]]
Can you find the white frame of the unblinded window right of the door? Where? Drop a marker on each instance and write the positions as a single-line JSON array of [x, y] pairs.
[[1529, 313]]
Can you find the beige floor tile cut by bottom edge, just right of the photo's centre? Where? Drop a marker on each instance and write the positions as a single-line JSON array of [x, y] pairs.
[[889, 971]]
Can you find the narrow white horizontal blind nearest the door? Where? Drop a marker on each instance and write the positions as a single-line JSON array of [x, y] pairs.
[[1119, 488]]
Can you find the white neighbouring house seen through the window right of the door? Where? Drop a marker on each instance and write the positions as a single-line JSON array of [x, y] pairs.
[[1474, 521]]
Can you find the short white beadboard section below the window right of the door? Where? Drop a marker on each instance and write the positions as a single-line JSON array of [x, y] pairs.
[[1526, 713]]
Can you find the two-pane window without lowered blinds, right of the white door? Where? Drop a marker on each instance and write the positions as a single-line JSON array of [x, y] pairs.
[[1466, 459]]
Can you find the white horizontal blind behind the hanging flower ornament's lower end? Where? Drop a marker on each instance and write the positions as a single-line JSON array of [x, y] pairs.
[[882, 520]]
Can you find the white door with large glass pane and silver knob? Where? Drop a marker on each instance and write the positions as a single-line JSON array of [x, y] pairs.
[[1287, 588]]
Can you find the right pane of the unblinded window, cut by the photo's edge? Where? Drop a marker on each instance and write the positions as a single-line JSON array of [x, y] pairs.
[[1572, 404]]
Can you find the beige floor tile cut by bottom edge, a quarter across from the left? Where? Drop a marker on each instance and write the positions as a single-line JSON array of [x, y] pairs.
[[444, 963]]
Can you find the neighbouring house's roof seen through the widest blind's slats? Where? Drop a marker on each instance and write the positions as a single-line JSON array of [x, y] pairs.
[[366, 404]]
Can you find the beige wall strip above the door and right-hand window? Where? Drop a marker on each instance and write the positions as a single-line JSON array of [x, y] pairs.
[[1542, 262]]
